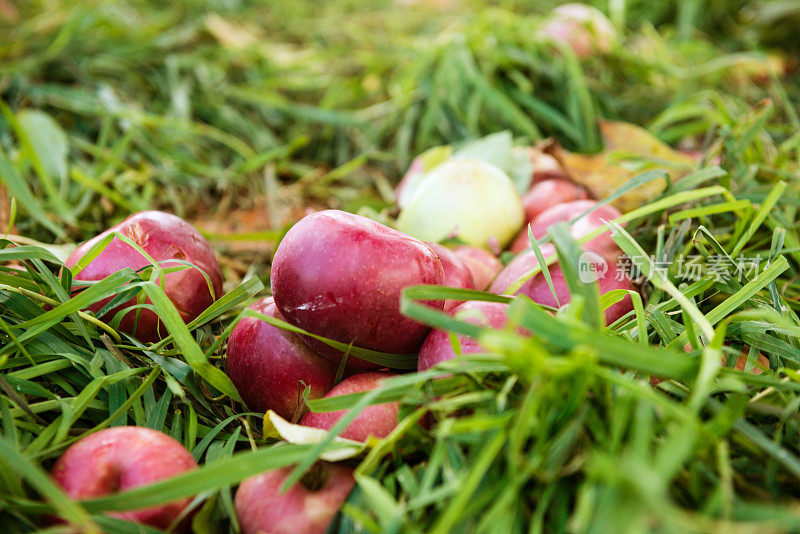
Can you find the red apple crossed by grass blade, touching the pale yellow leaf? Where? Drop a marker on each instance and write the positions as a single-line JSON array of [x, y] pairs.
[[377, 420]]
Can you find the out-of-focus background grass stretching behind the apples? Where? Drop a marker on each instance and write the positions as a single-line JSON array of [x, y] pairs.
[[203, 107]]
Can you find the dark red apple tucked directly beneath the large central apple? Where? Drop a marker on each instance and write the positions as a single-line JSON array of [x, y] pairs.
[[271, 367]]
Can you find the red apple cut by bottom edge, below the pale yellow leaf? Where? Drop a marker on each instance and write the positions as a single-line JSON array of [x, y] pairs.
[[308, 507]]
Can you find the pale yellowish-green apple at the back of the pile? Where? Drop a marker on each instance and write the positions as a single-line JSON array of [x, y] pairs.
[[469, 199]]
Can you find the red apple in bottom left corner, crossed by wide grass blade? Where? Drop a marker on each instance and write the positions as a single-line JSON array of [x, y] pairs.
[[122, 458]]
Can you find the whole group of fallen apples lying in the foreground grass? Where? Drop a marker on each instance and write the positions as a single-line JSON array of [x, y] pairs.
[[337, 276]]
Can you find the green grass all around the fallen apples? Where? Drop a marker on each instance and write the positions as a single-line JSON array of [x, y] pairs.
[[207, 111]]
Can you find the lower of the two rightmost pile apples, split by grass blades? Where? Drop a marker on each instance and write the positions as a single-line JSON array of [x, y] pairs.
[[608, 274]]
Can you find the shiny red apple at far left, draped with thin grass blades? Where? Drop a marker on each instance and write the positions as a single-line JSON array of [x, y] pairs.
[[166, 238]]
